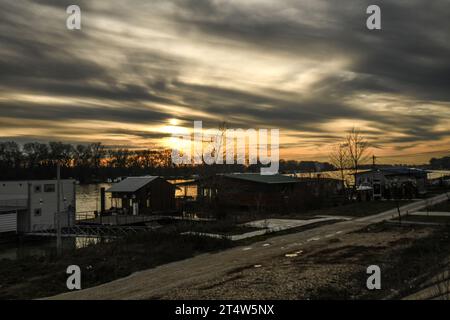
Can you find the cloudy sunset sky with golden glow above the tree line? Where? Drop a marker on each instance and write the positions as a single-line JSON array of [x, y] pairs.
[[140, 70]]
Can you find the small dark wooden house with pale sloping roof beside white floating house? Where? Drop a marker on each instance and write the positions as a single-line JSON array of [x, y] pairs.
[[143, 195]]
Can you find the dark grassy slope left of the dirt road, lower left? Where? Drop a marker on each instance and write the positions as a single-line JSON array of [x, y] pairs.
[[36, 277]]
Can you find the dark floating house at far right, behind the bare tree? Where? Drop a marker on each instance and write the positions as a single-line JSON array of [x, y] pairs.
[[390, 183]]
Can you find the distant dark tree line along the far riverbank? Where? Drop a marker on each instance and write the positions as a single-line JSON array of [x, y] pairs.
[[95, 162]]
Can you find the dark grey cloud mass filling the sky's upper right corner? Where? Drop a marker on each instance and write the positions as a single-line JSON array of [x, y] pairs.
[[409, 56]]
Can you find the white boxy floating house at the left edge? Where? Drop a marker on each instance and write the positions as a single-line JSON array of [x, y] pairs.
[[27, 206]]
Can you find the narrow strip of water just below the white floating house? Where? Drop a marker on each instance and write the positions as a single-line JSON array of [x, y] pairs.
[[43, 247]]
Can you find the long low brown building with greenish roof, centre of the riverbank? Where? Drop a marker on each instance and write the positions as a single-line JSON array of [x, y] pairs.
[[274, 193]]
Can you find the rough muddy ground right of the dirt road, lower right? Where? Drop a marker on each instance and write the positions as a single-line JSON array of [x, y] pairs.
[[336, 268]]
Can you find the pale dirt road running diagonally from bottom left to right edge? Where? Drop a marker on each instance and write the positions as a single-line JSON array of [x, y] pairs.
[[157, 282]]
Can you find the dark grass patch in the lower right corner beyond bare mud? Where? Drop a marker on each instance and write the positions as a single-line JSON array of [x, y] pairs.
[[405, 264]]
